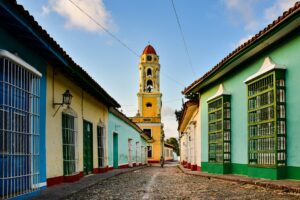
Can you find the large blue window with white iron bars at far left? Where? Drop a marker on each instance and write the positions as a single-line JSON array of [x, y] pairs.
[[19, 126]]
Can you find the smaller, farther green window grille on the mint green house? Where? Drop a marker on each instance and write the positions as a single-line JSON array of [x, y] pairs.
[[219, 129]]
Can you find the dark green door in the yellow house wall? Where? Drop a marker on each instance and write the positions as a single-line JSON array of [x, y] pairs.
[[87, 147]]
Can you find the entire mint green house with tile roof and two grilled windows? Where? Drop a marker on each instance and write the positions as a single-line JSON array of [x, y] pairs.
[[250, 105]]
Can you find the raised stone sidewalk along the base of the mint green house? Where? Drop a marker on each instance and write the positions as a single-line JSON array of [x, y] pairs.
[[285, 185]]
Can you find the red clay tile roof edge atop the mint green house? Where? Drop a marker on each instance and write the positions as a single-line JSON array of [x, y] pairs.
[[243, 46]]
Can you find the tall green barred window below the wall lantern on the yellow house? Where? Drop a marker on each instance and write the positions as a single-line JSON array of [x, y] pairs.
[[69, 143]]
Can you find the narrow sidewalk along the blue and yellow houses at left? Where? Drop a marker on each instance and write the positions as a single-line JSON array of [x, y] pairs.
[[66, 189]]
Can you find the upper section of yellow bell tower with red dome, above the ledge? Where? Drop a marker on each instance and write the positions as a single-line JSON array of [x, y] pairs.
[[149, 96]]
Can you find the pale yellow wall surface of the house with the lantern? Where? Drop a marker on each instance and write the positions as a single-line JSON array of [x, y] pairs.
[[86, 108]]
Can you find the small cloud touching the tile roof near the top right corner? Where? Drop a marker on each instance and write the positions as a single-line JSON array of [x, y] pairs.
[[278, 8]]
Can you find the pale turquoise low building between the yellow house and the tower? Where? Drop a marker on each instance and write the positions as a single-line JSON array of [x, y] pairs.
[[127, 142]]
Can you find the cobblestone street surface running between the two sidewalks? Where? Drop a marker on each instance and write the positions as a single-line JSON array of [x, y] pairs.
[[171, 183]]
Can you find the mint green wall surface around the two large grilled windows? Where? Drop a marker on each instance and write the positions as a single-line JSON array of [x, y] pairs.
[[285, 52]]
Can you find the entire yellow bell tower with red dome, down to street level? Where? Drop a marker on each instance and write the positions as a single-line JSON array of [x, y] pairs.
[[149, 102]]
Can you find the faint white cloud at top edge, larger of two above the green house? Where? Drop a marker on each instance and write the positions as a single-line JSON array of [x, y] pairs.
[[243, 11]]
